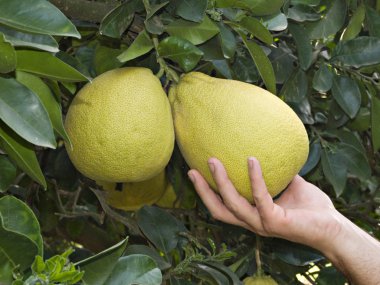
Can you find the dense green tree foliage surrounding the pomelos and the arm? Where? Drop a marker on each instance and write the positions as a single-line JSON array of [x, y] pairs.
[[321, 57]]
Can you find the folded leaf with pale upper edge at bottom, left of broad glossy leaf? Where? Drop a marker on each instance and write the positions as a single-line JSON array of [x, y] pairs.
[[99, 267]]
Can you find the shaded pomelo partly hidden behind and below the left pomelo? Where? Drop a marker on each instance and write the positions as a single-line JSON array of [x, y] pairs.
[[134, 195]]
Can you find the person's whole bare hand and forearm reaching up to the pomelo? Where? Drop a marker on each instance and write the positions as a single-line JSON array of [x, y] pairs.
[[303, 214]]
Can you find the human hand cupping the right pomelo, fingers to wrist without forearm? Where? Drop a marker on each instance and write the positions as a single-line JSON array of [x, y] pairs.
[[303, 213]]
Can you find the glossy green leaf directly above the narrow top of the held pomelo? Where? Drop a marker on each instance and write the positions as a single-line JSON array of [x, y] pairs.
[[180, 51]]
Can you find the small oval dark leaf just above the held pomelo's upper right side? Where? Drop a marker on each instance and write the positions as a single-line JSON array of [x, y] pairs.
[[295, 88]]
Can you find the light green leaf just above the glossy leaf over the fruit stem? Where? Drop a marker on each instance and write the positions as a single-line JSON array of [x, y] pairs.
[[196, 33]]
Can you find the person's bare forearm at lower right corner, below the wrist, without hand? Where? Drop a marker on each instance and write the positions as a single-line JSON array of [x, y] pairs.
[[355, 253]]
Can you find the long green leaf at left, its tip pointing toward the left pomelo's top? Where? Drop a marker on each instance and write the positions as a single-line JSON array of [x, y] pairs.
[[46, 65]]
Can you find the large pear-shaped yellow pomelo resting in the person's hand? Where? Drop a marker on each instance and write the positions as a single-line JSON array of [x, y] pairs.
[[232, 120]]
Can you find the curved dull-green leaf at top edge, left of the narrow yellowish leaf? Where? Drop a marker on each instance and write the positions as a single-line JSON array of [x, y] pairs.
[[331, 22]]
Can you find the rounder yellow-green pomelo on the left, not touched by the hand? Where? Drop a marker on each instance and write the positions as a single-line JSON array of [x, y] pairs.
[[121, 127]]
